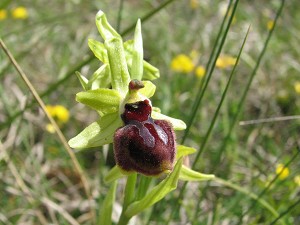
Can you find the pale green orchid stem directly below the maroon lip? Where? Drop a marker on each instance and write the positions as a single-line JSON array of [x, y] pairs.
[[128, 198]]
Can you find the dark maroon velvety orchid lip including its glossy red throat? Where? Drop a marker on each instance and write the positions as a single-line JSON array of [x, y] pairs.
[[143, 144]]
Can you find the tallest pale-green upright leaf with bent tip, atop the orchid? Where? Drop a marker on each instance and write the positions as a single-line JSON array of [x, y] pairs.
[[116, 56]]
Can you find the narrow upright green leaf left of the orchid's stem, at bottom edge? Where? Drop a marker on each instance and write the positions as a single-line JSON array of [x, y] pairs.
[[107, 205]]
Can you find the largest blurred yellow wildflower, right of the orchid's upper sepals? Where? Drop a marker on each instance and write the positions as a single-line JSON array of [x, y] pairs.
[[182, 63]]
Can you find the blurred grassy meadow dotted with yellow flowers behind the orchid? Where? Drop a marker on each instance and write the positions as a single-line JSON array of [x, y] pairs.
[[38, 183]]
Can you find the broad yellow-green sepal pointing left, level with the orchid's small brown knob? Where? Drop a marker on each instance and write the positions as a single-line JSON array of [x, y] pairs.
[[104, 100]]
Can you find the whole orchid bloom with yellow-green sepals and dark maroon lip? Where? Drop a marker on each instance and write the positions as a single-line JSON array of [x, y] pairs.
[[143, 138]]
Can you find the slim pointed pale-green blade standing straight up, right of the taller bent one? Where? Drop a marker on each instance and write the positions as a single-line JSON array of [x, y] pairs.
[[138, 54]]
